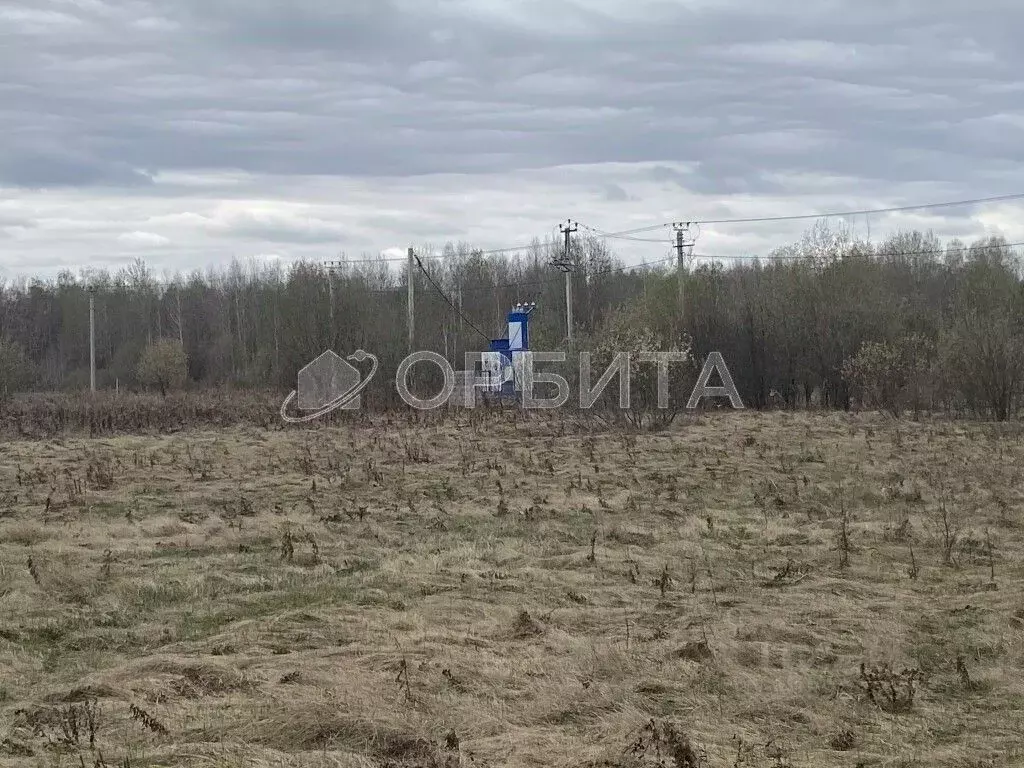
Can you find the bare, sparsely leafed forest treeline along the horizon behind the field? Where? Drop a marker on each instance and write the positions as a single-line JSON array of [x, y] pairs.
[[830, 321]]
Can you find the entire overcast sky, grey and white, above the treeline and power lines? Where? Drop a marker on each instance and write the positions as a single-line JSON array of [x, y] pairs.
[[193, 132]]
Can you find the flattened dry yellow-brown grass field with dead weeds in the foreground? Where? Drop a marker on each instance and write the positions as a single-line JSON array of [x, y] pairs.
[[746, 591]]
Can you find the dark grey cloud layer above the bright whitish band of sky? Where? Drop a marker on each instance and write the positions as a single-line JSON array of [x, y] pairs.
[[108, 100]]
